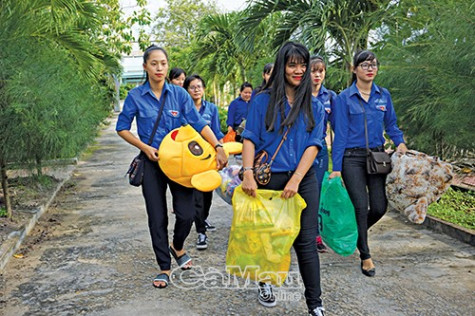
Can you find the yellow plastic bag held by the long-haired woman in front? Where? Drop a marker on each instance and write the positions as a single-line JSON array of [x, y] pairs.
[[262, 232]]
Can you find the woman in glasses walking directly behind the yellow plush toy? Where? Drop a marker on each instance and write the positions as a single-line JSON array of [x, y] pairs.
[[195, 86]]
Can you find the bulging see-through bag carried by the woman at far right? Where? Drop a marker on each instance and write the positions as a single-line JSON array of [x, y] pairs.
[[416, 180]]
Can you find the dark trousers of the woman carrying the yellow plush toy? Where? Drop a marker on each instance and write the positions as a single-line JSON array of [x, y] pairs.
[[154, 188]]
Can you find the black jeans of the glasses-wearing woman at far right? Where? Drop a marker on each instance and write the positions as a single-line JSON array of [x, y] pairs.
[[360, 187]]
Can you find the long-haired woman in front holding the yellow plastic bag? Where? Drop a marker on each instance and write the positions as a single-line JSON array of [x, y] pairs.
[[286, 104]]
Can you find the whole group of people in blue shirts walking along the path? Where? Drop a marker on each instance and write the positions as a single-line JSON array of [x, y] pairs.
[[292, 100]]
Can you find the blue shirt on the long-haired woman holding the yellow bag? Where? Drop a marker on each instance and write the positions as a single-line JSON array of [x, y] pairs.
[[298, 138]]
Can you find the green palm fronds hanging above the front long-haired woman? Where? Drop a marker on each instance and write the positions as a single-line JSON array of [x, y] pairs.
[[339, 27]]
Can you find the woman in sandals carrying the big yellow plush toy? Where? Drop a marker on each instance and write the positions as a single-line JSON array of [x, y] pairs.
[[143, 104]]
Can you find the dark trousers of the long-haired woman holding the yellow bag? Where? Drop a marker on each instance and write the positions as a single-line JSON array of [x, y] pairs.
[[304, 244]]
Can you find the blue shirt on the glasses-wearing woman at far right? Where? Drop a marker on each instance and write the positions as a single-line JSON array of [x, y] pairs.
[[349, 121]]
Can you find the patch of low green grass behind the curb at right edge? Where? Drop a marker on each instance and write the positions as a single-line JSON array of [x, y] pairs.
[[456, 207]]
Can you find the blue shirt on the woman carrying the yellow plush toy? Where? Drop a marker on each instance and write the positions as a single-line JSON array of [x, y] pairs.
[[144, 106]]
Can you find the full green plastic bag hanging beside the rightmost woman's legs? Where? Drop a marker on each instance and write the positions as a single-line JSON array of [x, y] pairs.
[[337, 217]]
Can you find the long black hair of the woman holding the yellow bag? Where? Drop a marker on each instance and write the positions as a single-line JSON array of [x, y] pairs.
[[290, 51]]
